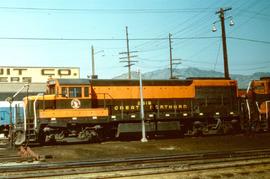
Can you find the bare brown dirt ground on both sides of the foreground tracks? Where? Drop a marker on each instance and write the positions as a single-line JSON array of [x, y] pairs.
[[126, 149]]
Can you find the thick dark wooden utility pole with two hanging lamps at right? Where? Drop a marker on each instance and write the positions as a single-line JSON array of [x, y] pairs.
[[224, 44]]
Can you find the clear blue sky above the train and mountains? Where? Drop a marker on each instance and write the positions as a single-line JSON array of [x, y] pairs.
[[149, 23]]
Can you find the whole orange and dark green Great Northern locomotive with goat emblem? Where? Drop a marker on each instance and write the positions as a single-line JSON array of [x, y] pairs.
[[86, 110]]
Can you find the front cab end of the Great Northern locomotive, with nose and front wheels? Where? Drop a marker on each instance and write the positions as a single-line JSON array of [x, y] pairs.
[[64, 111]]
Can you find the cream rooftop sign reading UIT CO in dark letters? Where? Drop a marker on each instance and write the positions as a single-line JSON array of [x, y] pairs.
[[36, 74]]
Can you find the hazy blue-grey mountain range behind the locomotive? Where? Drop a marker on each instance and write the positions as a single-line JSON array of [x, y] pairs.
[[183, 73]]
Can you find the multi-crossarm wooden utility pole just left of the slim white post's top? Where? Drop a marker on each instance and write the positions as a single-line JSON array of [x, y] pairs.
[[128, 57]]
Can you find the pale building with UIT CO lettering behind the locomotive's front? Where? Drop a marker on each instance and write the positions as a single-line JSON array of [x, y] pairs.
[[13, 78]]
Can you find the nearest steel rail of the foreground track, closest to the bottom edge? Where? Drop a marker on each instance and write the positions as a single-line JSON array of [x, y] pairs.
[[139, 169]]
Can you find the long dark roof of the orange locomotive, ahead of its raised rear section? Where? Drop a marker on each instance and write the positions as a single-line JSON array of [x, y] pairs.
[[121, 82]]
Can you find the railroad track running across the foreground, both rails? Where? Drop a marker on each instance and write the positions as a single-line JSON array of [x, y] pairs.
[[139, 166]]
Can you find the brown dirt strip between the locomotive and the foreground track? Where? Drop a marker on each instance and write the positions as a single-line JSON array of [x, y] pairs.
[[125, 149]]
